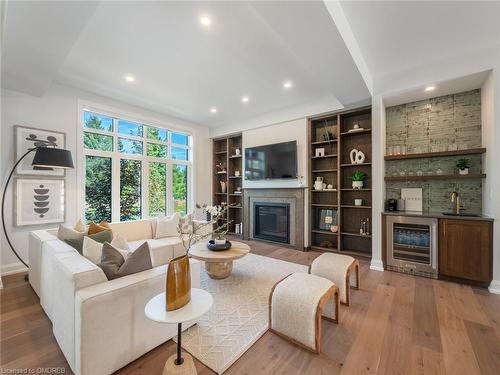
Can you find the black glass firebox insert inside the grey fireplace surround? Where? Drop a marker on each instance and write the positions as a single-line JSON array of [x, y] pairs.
[[271, 221]]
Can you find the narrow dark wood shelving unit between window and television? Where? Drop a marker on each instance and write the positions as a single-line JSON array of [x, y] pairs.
[[224, 152]]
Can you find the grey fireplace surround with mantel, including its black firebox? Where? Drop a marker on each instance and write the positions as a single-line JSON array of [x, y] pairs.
[[271, 212]]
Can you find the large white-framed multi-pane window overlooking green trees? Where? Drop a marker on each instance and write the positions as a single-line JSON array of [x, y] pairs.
[[133, 170]]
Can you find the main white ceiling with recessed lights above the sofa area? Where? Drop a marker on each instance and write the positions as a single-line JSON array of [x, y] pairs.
[[182, 68]]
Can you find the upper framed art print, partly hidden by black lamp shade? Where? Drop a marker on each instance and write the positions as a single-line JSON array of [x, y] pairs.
[[28, 138]]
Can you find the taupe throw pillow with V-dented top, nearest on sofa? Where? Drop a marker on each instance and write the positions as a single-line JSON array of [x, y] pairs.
[[115, 265]]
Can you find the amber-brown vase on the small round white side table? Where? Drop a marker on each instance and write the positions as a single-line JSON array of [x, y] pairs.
[[178, 283]]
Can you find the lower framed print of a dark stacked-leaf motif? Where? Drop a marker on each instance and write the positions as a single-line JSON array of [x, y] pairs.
[[39, 201]]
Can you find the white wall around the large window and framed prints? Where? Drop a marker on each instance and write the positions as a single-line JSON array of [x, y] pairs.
[[58, 110]]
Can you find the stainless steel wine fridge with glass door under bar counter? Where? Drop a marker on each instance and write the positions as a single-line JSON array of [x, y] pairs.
[[412, 244]]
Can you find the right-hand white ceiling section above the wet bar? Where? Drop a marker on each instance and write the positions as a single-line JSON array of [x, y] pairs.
[[397, 36]]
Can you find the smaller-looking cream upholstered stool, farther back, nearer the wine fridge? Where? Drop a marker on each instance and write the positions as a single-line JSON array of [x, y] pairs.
[[339, 269]]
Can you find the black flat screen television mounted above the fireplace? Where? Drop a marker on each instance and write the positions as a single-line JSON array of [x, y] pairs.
[[275, 161]]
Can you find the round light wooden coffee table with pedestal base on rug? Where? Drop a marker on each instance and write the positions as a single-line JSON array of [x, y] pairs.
[[219, 264]]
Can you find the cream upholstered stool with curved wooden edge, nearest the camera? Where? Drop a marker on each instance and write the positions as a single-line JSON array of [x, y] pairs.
[[296, 305]]
